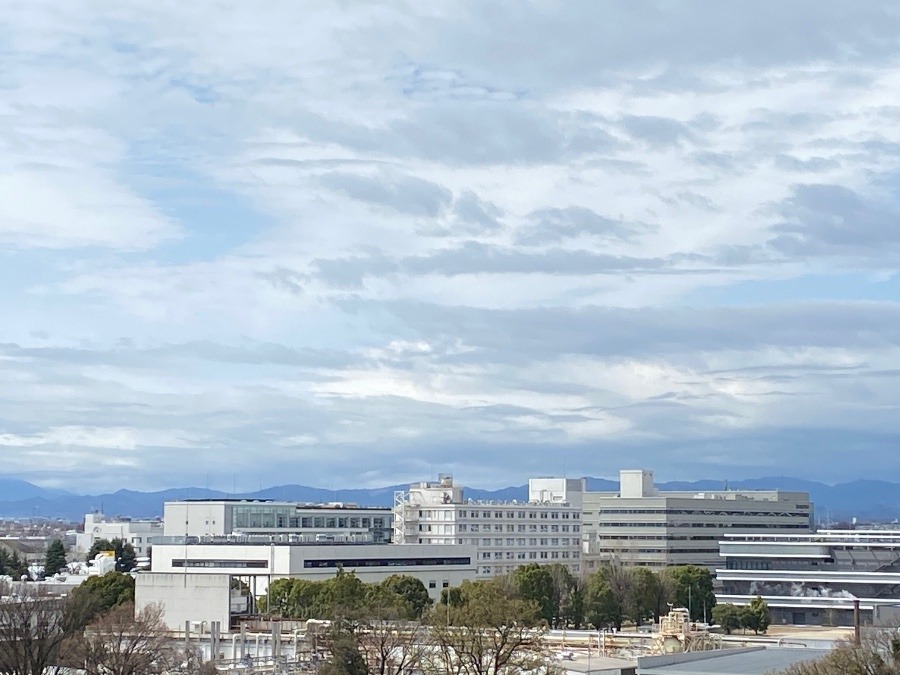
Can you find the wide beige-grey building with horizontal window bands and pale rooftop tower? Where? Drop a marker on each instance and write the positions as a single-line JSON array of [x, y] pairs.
[[639, 525]]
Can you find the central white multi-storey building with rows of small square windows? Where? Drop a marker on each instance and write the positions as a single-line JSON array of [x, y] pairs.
[[505, 534]]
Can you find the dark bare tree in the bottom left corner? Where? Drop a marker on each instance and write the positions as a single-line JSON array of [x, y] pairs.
[[32, 628]]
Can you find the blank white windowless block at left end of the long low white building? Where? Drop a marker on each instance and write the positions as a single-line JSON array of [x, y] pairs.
[[186, 597]]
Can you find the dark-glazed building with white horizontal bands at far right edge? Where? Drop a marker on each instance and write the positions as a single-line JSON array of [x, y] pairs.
[[813, 578]]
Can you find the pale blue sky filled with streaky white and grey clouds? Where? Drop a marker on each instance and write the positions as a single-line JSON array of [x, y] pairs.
[[360, 244]]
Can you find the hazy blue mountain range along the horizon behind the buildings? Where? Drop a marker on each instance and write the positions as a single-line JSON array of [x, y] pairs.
[[868, 500]]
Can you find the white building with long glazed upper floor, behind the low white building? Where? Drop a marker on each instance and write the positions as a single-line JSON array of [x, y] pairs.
[[328, 522]]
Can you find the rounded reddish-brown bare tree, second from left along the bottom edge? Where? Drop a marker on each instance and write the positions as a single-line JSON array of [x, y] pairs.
[[121, 642]]
